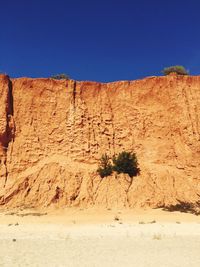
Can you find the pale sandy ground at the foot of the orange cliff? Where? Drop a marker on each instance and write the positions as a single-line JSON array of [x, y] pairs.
[[90, 237]]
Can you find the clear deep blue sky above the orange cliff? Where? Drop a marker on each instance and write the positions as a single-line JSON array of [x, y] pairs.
[[98, 40]]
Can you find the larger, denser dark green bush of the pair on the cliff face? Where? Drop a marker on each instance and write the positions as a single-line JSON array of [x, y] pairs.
[[126, 162]]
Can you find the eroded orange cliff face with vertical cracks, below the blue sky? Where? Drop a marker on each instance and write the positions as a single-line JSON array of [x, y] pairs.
[[52, 134]]
